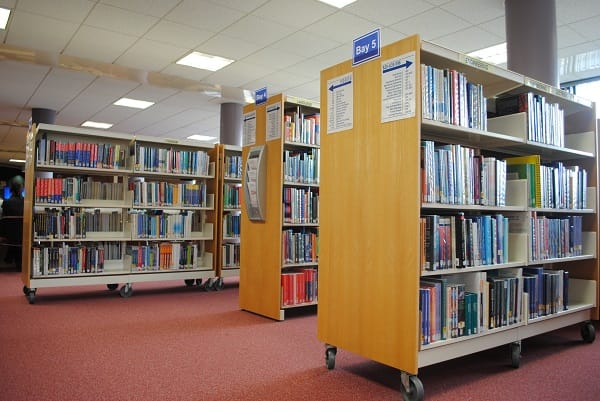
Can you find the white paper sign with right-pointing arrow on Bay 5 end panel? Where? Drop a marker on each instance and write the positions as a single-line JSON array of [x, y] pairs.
[[398, 96]]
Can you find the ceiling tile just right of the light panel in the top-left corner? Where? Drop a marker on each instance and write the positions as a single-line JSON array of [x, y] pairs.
[[38, 32]]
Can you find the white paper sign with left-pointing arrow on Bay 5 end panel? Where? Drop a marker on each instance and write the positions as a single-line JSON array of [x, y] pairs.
[[340, 103]]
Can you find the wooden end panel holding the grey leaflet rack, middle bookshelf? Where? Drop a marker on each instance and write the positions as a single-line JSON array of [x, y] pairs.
[[260, 254]]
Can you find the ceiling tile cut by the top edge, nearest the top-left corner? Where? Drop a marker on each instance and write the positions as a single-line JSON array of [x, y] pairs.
[[64, 10]]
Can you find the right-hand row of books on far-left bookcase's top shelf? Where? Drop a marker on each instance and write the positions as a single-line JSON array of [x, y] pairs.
[[171, 161]]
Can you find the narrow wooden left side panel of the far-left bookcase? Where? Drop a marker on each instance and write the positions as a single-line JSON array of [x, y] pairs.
[[28, 206]]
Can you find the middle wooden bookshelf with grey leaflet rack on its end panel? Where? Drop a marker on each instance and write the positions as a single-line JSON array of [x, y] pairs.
[[279, 264]]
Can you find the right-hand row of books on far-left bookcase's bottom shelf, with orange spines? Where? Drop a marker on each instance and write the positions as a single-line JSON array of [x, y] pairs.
[[165, 256]]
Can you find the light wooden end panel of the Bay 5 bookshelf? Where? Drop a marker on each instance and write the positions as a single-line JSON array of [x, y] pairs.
[[369, 222]]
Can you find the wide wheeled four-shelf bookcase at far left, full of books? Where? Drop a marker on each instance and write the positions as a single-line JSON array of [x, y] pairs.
[[109, 208]]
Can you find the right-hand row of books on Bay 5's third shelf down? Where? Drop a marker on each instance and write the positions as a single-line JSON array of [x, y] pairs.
[[555, 237]]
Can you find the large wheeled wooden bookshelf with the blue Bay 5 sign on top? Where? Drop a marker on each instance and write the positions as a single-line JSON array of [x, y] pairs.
[[376, 204]]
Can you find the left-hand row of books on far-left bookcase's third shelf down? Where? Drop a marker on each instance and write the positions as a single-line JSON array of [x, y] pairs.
[[74, 222]]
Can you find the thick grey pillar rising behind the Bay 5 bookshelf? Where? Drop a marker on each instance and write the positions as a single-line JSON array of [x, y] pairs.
[[531, 39]]
